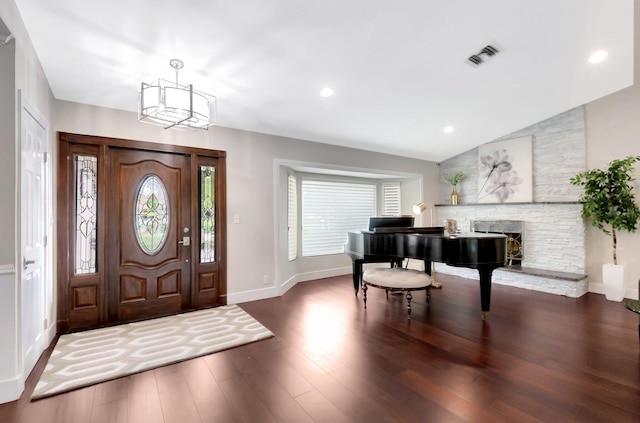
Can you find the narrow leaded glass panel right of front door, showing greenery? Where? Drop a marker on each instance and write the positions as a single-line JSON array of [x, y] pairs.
[[207, 214]]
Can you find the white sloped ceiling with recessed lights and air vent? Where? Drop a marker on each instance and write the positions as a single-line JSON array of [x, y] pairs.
[[399, 69]]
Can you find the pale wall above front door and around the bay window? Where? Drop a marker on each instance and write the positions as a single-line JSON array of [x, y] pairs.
[[255, 245]]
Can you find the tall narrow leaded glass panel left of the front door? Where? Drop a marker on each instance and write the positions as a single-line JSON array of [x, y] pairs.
[[86, 188]]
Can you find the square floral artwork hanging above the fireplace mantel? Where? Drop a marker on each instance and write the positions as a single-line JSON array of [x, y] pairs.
[[505, 171]]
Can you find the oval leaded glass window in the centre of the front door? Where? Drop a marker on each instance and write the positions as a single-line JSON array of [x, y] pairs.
[[151, 214]]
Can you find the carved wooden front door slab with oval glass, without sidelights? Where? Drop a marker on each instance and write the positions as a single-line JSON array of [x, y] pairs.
[[148, 246]]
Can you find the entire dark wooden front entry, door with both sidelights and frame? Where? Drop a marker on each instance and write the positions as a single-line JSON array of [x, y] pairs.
[[141, 230]]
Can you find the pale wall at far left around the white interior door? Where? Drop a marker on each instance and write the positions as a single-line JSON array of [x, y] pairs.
[[18, 59]]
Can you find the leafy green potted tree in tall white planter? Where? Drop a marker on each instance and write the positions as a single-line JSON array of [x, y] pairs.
[[609, 202]]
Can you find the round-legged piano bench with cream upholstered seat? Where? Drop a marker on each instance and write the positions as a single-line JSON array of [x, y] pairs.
[[396, 279]]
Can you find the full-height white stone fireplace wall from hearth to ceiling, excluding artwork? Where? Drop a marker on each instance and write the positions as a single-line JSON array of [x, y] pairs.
[[554, 248]]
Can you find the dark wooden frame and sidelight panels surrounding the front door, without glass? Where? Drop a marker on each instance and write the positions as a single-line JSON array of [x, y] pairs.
[[94, 287]]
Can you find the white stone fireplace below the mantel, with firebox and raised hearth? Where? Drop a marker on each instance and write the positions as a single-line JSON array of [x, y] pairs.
[[542, 260]]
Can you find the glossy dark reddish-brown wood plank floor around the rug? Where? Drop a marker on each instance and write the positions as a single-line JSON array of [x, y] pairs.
[[539, 357]]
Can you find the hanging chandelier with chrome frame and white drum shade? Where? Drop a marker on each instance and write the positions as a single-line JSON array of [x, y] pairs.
[[173, 105]]
